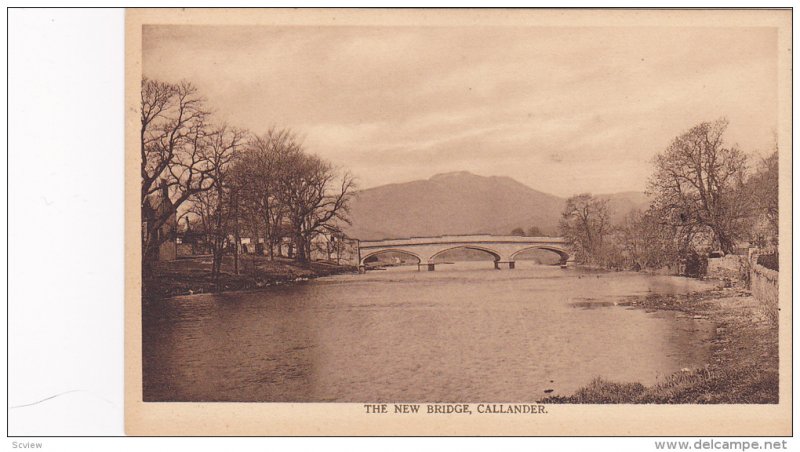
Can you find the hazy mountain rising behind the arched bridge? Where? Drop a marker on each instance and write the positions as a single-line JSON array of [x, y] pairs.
[[462, 203]]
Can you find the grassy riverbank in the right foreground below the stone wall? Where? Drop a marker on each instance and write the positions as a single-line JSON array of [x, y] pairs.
[[743, 367]]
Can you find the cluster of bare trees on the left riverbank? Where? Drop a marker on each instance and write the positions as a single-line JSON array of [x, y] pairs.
[[232, 181]]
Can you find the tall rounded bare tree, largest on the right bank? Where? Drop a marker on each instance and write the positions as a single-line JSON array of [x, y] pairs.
[[699, 184]]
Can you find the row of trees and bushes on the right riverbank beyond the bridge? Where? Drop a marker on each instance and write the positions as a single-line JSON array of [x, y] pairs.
[[705, 197]]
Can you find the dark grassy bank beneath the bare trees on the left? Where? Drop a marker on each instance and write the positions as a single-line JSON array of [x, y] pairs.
[[193, 275]]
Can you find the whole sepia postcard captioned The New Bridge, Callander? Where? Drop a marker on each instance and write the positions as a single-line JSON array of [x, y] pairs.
[[537, 215]]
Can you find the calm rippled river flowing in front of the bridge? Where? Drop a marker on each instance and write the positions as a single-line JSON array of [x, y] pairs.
[[463, 333]]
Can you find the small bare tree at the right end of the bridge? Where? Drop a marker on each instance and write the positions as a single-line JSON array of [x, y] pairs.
[[585, 225]]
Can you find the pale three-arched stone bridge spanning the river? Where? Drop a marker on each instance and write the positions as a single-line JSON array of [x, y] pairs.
[[504, 248]]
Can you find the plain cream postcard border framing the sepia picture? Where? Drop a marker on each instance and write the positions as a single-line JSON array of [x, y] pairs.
[[334, 419]]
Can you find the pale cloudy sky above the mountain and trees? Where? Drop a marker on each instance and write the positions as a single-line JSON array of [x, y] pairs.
[[562, 110]]
